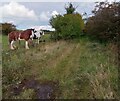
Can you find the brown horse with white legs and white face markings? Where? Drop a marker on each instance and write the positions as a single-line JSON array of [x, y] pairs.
[[24, 35]]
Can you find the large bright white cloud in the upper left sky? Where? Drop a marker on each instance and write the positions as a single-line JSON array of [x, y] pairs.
[[14, 9]]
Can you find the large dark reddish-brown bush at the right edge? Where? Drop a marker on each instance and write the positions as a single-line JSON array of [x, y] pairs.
[[105, 24]]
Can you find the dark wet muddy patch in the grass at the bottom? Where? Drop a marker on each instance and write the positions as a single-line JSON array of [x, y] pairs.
[[43, 90]]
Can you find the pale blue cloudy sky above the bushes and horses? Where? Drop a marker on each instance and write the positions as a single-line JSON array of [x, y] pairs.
[[37, 14]]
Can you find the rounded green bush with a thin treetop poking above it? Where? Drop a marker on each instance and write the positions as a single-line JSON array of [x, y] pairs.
[[68, 26]]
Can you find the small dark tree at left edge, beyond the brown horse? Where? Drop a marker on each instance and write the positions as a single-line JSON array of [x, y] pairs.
[[7, 27]]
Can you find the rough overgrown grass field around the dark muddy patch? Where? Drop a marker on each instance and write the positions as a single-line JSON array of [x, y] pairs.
[[84, 69]]
